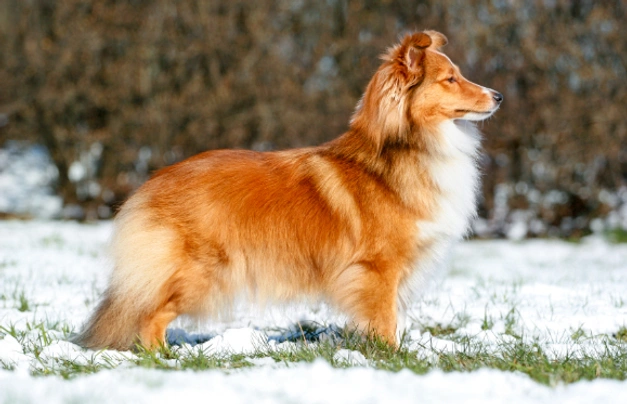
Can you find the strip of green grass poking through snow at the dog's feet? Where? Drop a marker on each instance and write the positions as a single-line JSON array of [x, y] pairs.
[[513, 355]]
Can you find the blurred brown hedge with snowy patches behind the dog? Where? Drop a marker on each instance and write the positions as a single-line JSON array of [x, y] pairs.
[[96, 95]]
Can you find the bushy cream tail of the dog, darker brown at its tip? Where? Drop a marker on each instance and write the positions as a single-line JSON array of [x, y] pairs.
[[144, 262]]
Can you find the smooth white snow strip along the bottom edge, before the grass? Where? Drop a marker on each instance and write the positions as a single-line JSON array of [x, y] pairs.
[[317, 382]]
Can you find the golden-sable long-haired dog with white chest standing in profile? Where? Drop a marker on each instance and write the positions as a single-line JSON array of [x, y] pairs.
[[357, 221]]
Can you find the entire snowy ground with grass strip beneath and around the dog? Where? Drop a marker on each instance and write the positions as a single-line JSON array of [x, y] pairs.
[[529, 321]]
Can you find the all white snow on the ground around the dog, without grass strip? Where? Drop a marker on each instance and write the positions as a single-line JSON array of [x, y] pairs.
[[569, 298]]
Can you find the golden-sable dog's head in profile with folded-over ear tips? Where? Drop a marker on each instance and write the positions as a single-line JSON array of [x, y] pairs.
[[417, 85]]
